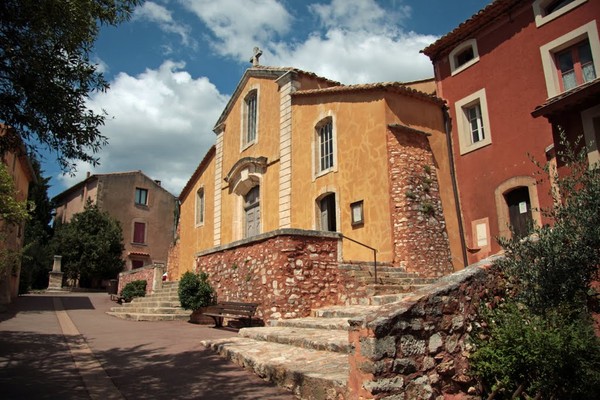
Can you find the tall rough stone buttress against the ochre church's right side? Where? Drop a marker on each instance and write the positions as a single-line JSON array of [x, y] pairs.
[[419, 230]]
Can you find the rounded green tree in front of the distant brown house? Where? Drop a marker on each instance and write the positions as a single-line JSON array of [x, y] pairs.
[[91, 246]]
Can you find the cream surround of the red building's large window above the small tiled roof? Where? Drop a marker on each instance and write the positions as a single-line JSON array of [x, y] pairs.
[[548, 51]]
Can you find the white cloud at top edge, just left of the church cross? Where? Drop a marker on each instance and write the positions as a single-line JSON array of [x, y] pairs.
[[239, 26]]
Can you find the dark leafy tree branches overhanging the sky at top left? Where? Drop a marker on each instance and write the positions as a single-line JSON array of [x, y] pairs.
[[46, 75]]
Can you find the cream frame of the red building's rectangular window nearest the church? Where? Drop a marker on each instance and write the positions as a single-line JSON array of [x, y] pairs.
[[464, 128]]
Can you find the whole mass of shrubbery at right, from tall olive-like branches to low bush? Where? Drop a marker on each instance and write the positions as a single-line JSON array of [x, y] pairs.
[[540, 338]]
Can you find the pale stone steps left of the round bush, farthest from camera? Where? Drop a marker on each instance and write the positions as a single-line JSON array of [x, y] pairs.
[[162, 305]]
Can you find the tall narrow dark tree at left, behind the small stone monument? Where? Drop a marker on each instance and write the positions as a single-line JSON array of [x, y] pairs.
[[37, 257]]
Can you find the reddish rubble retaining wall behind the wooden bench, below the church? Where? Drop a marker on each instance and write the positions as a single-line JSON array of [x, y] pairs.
[[288, 272]]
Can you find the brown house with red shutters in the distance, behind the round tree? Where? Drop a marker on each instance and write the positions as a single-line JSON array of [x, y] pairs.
[[143, 207]]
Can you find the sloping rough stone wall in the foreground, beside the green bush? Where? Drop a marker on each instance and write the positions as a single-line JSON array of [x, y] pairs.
[[418, 348]]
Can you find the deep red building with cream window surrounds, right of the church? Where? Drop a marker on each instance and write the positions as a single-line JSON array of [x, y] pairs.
[[502, 71]]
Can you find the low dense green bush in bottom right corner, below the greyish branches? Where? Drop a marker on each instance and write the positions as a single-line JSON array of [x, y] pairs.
[[556, 355]]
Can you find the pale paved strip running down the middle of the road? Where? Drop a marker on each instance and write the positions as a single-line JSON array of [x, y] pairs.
[[96, 380]]
